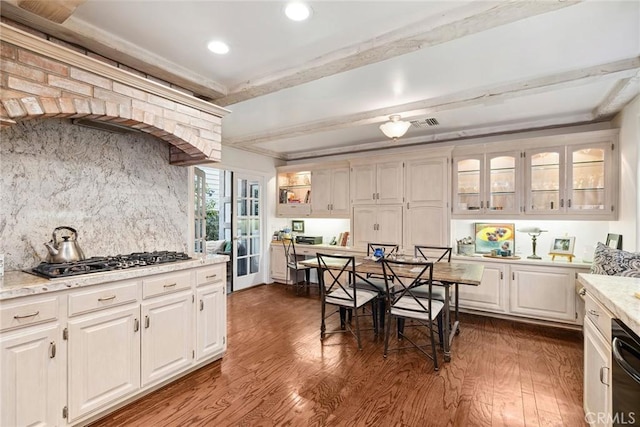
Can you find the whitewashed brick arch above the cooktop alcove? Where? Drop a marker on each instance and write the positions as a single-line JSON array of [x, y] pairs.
[[34, 86]]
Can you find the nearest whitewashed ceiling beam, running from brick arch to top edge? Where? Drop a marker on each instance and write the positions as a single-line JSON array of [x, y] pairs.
[[472, 18]]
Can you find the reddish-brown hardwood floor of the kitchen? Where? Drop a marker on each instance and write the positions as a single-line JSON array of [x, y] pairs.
[[277, 372]]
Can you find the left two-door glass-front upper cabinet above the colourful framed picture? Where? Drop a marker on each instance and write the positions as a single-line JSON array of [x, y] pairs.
[[487, 184]]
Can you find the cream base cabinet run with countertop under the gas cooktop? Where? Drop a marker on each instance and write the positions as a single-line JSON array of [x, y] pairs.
[[74, 349]]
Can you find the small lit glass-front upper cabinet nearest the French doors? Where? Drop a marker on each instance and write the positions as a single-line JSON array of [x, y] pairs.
[[294, 193]]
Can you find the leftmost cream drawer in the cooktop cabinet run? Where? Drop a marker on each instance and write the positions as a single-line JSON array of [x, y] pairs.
[[23, 313]]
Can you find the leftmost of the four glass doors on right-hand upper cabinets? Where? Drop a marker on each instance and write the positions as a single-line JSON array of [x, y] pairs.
[[468, 185]]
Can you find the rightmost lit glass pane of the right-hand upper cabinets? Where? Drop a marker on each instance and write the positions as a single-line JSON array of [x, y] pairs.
[[587, 172]]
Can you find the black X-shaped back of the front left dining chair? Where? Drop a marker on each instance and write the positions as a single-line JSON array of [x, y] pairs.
[[337, 273]]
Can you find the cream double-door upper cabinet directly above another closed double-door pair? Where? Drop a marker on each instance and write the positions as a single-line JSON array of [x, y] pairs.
[[377, 183]]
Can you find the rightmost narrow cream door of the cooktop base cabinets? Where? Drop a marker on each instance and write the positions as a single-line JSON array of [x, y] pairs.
[[211, 321]]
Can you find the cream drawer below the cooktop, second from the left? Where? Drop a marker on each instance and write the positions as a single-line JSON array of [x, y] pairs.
[[102, 297]]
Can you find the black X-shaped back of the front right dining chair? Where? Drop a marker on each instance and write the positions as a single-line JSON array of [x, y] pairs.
[[400, 292]]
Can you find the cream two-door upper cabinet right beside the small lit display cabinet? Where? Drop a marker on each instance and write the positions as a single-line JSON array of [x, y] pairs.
[[330, 192]]
